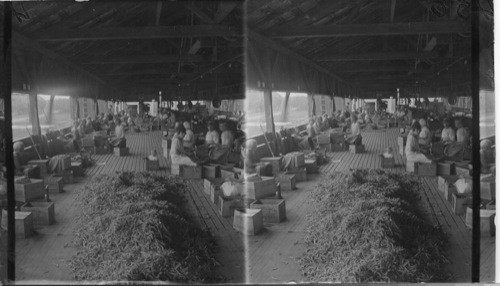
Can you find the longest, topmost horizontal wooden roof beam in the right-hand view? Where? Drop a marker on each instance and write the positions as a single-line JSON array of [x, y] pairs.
[[383, 29]]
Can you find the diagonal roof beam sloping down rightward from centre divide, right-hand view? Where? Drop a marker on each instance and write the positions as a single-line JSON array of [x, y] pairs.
[[261, 40]]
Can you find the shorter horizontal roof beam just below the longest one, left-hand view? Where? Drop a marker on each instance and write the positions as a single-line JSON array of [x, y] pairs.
[[148, 59]]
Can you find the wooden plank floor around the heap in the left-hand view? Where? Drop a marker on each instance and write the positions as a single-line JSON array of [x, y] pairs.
[[45, 256]]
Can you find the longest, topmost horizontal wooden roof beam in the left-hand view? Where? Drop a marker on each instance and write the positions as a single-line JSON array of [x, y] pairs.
[[128, 33]]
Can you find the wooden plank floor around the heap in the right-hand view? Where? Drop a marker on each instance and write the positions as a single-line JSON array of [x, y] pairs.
[[273, 254]]
